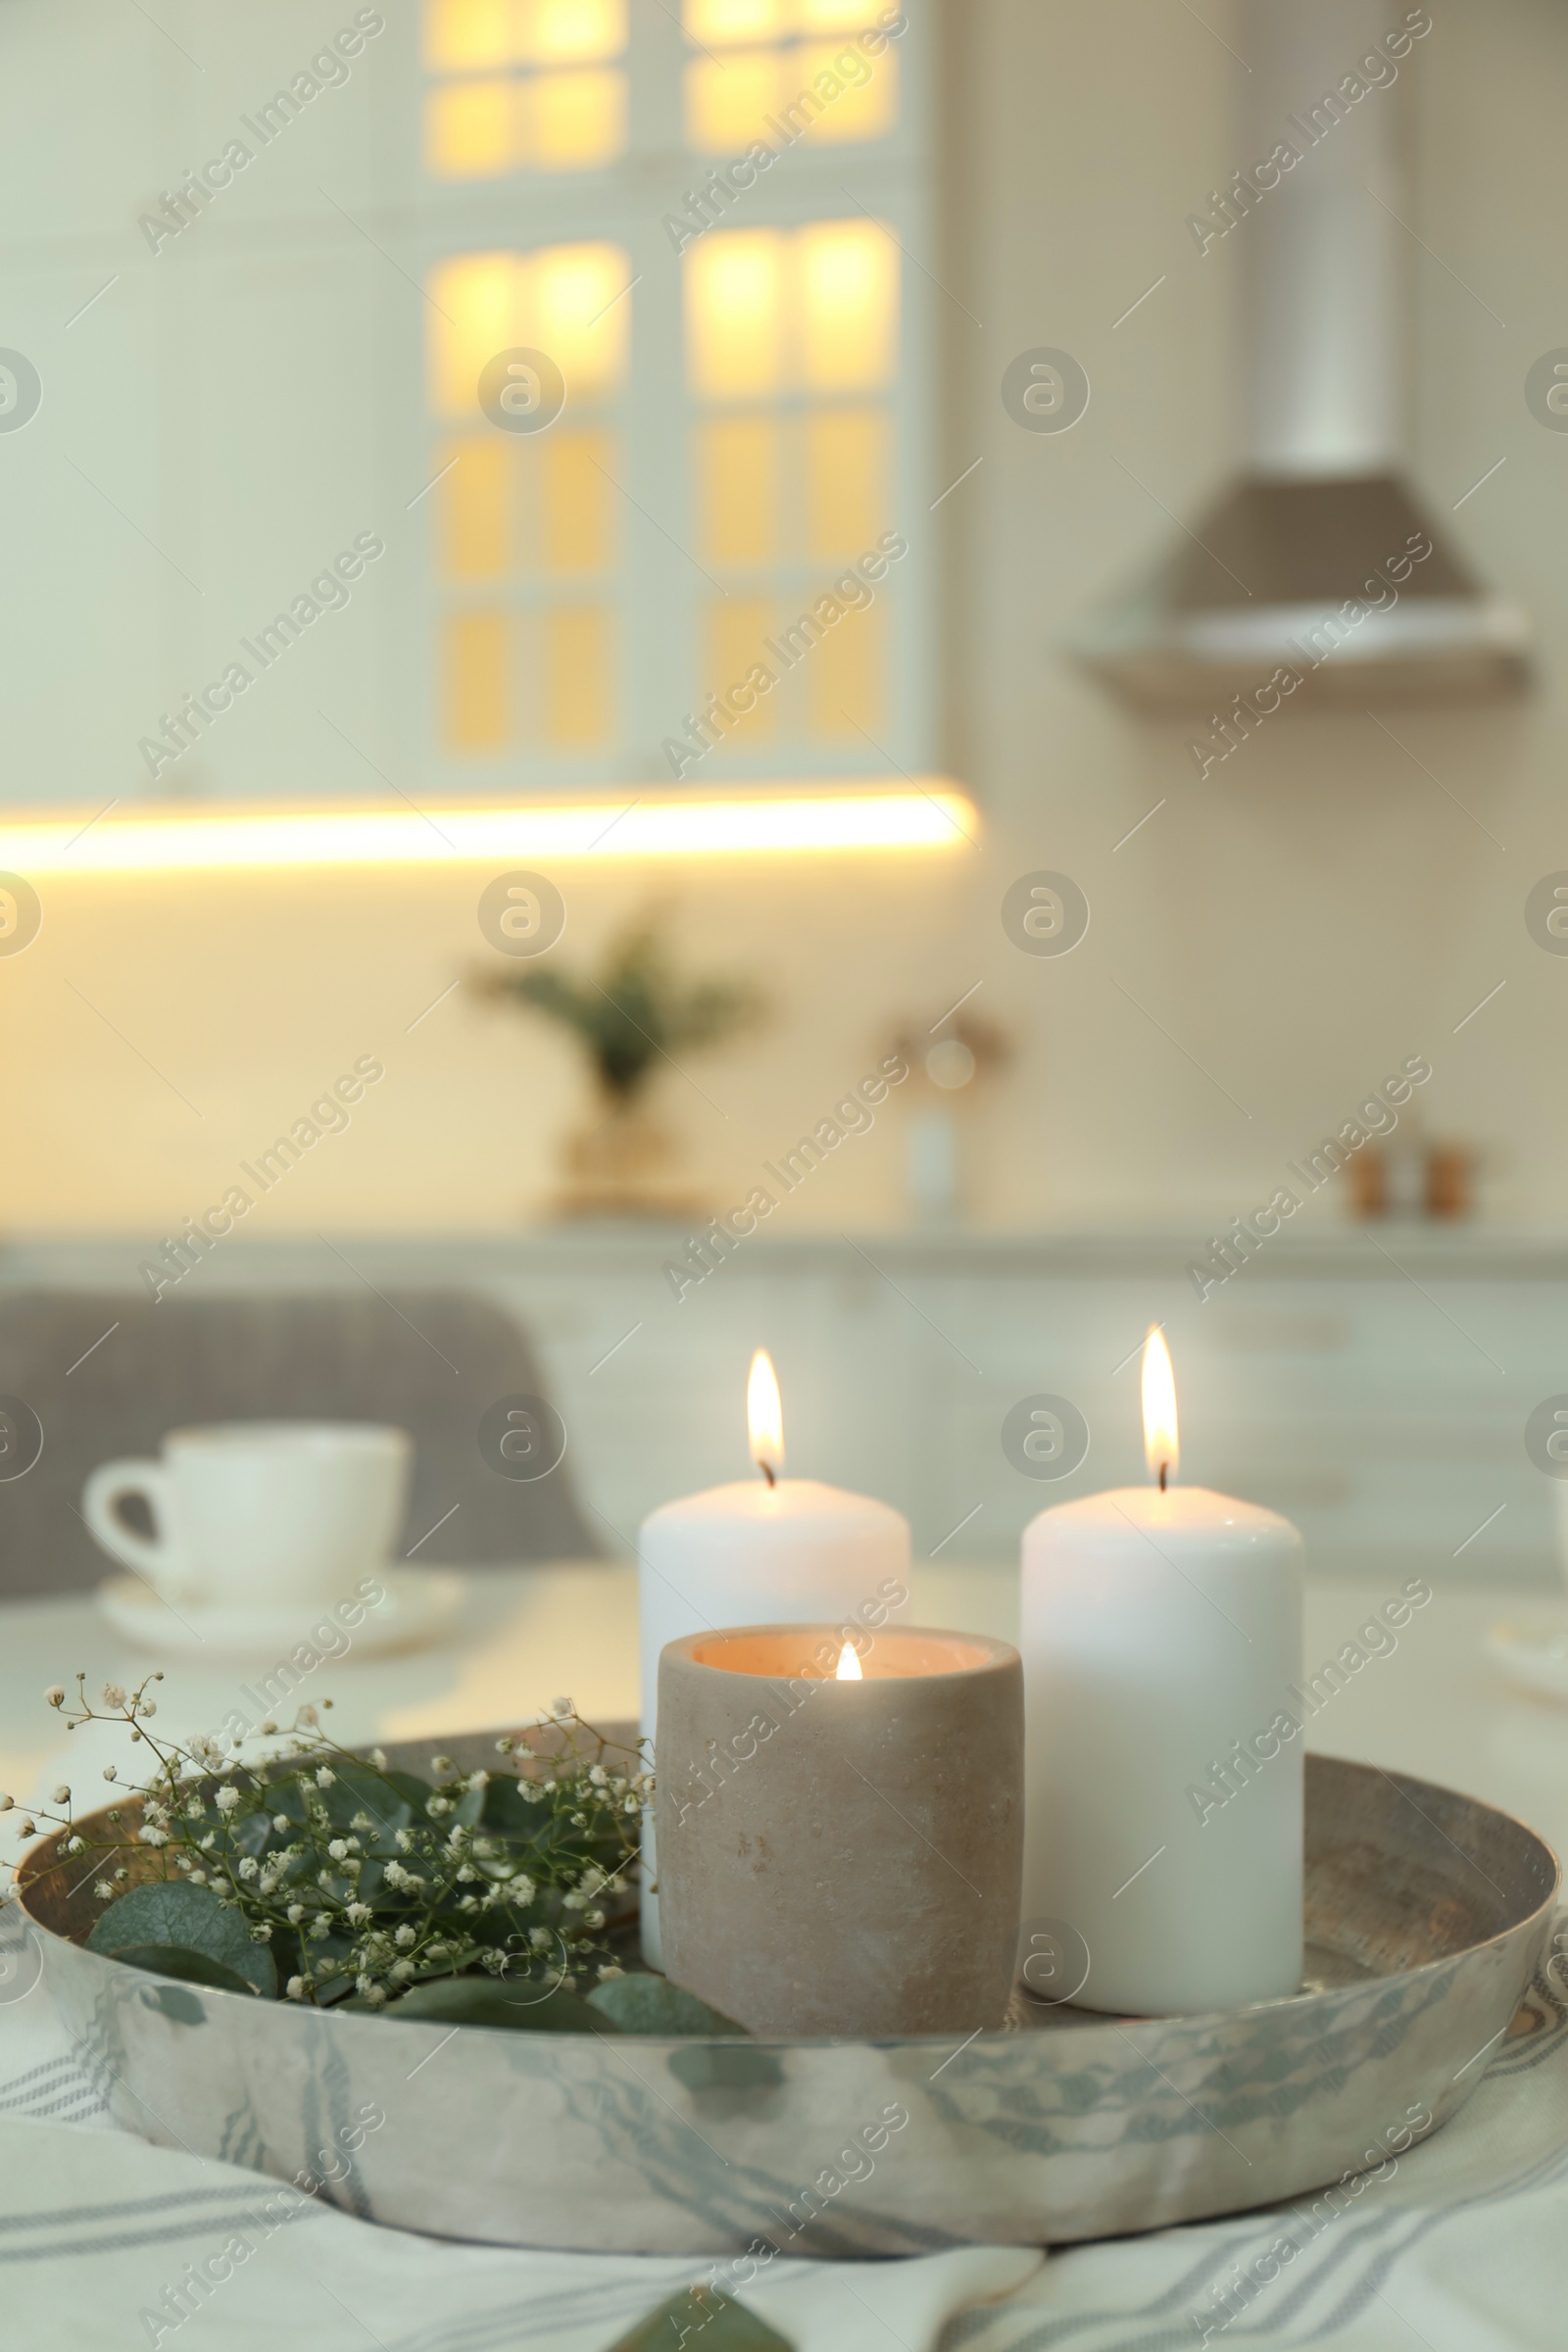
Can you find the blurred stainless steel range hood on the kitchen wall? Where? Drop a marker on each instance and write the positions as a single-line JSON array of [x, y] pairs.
[[1320, 559]]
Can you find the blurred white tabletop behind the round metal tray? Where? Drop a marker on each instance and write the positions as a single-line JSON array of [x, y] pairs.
[[525, 1636]]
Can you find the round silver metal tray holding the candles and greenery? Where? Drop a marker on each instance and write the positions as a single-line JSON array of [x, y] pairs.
[[1426, 1920]]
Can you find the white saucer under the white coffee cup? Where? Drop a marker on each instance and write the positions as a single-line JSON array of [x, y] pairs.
[[417, 1605]]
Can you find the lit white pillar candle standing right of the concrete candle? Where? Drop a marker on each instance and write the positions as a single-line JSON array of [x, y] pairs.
[[1162, 1638]]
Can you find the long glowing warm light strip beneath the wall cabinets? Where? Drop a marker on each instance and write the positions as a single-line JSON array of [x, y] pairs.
[[829, 820]]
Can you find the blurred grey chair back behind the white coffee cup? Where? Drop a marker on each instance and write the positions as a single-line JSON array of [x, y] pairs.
[[114, 1372]]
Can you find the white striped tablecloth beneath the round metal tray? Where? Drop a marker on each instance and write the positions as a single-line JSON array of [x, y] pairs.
[[1461, 2245]]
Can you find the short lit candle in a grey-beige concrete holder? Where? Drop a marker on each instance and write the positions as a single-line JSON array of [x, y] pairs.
[[840, 1826]]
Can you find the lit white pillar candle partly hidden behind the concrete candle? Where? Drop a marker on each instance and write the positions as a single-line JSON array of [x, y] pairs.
[[765, 1551]]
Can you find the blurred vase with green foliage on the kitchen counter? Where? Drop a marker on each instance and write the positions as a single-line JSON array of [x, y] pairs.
[[634, 1020]]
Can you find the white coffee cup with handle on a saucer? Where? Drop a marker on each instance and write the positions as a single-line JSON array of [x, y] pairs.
[[257, 1511]]
